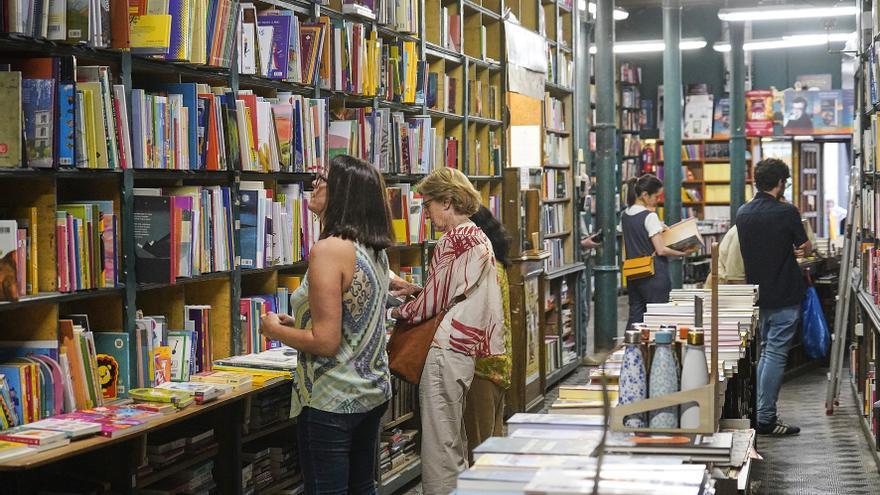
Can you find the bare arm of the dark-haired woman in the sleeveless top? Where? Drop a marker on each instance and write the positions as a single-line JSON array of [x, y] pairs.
[[330, 273]]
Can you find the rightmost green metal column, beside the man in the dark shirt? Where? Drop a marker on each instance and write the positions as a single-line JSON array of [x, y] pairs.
[[738, 119]]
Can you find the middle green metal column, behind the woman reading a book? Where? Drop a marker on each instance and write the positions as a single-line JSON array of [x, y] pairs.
[[672, 124]]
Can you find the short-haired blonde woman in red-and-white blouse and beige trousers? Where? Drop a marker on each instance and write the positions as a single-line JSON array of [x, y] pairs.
[[462, 266]]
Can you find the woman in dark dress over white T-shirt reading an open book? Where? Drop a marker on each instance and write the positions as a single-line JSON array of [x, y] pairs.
[[641, 237]]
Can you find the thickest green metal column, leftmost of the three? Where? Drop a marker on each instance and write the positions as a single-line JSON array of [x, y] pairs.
[[606, 147]]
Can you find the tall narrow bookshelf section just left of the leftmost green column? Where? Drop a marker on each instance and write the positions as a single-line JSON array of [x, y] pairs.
[[542, 206]]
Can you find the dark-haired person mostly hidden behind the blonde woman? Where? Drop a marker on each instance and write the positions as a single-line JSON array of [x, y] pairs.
[[484, 408]]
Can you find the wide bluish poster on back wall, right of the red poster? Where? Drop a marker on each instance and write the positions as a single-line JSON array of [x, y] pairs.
[[818, 112]]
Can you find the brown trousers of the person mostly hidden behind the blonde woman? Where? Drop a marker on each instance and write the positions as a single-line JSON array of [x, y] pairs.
[[483, 412]]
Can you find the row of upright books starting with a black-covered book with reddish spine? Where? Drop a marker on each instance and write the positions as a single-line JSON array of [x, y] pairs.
[[182, 232]]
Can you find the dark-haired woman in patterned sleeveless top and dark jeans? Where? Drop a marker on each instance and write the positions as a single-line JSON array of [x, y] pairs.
[[342, 381]]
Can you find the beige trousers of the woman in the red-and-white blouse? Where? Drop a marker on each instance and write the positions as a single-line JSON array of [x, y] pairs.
[[442, 393]]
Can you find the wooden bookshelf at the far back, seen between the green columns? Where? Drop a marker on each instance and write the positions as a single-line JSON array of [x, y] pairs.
[[706, 176]]
